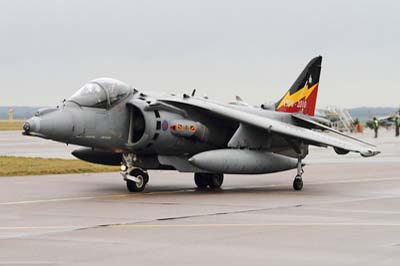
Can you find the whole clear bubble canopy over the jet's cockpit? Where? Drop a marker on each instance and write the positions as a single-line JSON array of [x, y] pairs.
[[101, 93]]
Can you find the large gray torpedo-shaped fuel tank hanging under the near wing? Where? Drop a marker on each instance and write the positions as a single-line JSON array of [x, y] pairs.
[[237, 161]]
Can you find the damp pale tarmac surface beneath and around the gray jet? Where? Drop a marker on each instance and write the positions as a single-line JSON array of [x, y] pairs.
[[348, 213]]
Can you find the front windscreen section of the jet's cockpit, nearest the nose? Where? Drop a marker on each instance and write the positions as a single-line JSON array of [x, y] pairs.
[[91, 95]]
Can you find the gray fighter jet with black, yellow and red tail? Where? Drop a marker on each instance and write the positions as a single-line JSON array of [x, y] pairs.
[[120, 125]]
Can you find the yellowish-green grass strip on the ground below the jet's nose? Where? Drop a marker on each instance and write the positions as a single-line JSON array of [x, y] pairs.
[[22, 166]]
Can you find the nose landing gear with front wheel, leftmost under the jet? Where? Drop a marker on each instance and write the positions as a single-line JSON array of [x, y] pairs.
[[136, 178]]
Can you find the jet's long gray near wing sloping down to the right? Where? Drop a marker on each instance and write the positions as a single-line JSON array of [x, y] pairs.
[[306, 135]]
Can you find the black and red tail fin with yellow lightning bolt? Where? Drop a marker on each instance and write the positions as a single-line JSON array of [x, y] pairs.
[[302, 95]]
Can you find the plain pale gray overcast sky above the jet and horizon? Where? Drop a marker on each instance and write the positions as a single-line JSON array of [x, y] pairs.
[[254, 49]]
